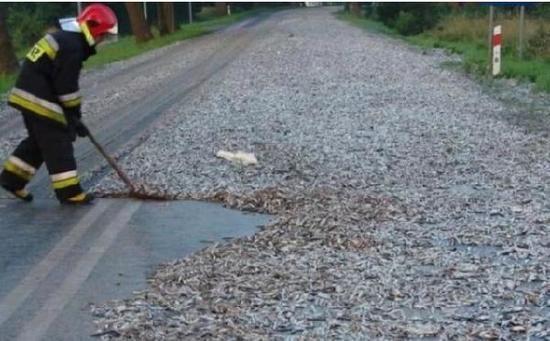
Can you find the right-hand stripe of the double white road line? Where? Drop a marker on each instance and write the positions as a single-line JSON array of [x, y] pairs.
[[39, 325]]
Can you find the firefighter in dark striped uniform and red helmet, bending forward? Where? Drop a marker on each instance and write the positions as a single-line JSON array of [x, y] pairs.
[[47, 95]]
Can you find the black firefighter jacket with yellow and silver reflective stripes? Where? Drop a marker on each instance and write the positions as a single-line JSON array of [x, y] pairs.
[[48, 83]]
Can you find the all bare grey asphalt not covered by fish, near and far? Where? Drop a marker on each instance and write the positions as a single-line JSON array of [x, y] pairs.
[[55, 260]]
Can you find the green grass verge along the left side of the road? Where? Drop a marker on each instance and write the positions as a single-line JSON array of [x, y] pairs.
[[126, 47]]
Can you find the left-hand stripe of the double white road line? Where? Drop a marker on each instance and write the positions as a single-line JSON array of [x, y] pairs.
[[12, 301]]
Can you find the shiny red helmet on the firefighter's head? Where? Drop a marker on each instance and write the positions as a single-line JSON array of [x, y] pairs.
[[99, 20]]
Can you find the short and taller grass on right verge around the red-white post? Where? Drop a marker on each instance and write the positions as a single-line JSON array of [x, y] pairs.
[[468, 37]]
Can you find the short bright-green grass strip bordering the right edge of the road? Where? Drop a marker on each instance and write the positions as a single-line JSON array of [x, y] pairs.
[[474, 53]]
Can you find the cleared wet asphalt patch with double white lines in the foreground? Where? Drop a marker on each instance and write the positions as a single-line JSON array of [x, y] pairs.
[[56, 261]]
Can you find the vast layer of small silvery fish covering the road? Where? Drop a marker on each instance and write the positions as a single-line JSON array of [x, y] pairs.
[[406, 205]]
